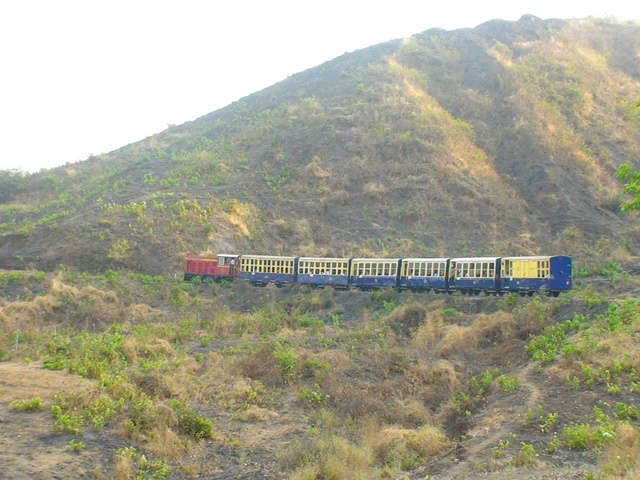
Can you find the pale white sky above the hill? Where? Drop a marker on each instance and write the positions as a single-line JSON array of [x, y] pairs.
[[85, 77]]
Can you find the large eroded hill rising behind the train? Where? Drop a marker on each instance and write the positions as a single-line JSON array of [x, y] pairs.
[[502, 139]]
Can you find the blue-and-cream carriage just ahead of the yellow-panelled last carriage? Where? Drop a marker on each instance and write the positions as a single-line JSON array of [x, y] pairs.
[[473, 275]]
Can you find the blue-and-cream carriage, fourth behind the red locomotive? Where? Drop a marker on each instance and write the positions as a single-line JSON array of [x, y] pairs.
[[424, 274]]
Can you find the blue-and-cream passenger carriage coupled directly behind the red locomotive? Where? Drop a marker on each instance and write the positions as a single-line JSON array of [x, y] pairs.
[[263, 269]]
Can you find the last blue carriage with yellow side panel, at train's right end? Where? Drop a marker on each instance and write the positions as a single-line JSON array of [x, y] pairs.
[[525, 275]]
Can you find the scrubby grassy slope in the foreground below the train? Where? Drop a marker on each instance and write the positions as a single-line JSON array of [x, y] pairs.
[[294, 383]]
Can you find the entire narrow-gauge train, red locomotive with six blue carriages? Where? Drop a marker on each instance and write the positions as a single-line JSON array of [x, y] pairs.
[[550, 275]]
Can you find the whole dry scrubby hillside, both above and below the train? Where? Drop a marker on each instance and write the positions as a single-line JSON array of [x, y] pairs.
[[502, 139]]
